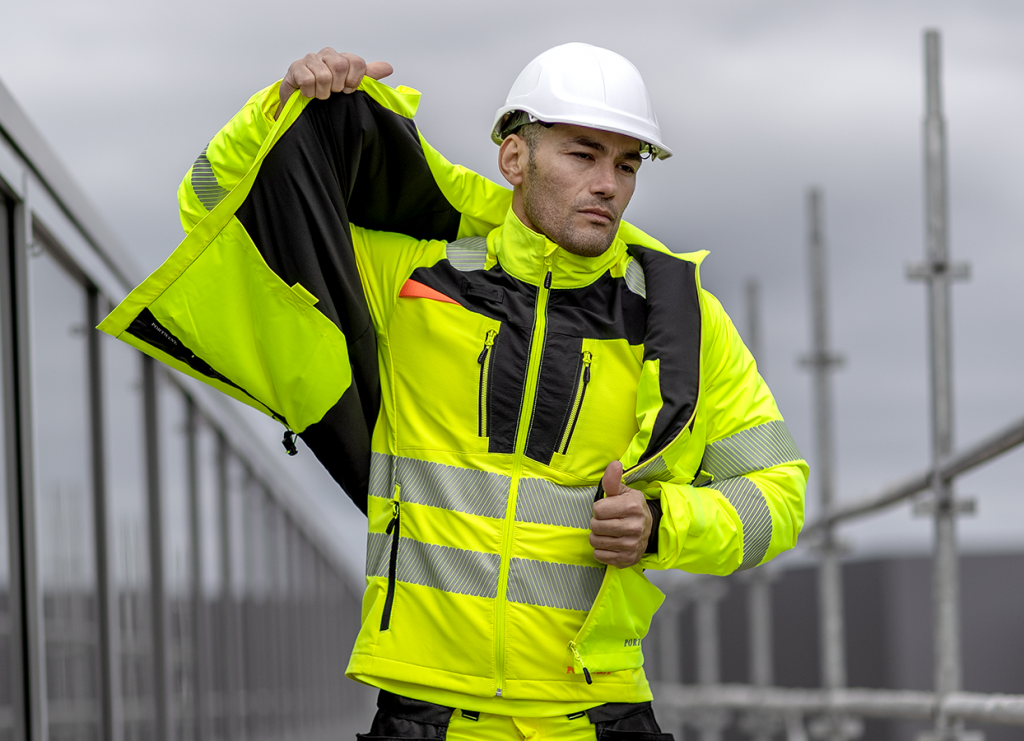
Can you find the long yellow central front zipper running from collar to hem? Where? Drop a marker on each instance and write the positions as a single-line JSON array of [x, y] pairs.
[[523, 432]]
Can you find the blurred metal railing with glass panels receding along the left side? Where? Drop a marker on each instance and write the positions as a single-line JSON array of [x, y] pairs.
[[161, 577]]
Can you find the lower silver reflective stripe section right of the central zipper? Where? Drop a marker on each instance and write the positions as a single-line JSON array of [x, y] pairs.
[[563, 586]]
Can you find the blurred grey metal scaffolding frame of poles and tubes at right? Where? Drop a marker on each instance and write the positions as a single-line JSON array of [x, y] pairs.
[[835, 711]]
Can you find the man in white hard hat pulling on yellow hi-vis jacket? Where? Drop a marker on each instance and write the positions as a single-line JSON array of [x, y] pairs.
[[533, 401]]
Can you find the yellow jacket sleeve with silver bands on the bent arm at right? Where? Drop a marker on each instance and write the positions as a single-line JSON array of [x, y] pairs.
[[747, 504]]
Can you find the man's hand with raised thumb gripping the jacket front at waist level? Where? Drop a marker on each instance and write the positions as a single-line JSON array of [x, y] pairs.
[[621, 527]]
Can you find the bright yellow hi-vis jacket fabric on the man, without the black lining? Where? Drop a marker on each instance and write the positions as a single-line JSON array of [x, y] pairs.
[[483, 592]]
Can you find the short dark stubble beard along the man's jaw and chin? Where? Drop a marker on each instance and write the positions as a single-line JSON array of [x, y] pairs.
[[561, 229]]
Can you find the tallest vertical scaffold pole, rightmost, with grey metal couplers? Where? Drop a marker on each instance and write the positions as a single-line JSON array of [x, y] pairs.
[[940, 273]]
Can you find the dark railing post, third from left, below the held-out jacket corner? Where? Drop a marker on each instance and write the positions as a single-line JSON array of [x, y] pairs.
[[161, 629]]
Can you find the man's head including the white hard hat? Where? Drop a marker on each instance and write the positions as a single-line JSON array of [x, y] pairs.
[[573, 133]]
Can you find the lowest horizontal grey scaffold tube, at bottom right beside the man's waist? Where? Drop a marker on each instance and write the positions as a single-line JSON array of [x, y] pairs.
[[869, 704]]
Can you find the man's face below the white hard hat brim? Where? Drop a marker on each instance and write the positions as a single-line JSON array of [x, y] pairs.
[[576, 186]]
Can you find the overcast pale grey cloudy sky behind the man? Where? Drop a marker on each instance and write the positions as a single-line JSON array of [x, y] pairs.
[[758, 100]]
